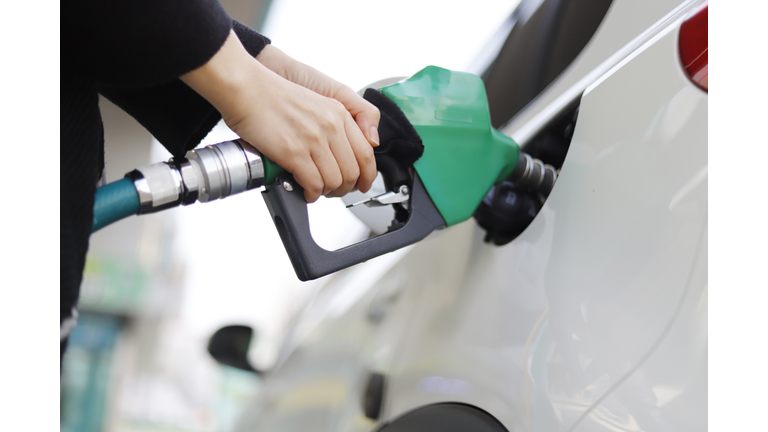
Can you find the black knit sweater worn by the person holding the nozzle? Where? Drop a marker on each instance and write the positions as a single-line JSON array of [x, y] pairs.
[[132, 52]]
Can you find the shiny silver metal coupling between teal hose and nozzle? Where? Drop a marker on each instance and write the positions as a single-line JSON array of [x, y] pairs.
[[205, 174]]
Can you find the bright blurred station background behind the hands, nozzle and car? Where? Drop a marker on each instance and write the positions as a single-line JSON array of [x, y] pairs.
[[156, 287]]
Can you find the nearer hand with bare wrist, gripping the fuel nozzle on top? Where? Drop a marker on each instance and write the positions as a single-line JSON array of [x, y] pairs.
[[312, 136]]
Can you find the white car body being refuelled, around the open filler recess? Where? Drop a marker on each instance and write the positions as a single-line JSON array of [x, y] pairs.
[[593, 319]]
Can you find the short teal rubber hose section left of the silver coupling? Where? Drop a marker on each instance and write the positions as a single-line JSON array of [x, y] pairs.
[[114, 201]]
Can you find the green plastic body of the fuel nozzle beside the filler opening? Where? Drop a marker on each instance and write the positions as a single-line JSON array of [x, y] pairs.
[[463, 154]]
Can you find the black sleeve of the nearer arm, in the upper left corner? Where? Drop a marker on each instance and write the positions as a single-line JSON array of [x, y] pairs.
[[139, 43]]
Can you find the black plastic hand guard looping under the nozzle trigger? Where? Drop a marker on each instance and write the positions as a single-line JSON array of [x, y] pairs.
[[310, 261]]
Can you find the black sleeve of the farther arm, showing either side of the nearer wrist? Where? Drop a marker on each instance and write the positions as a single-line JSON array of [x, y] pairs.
[[172, 112]]
